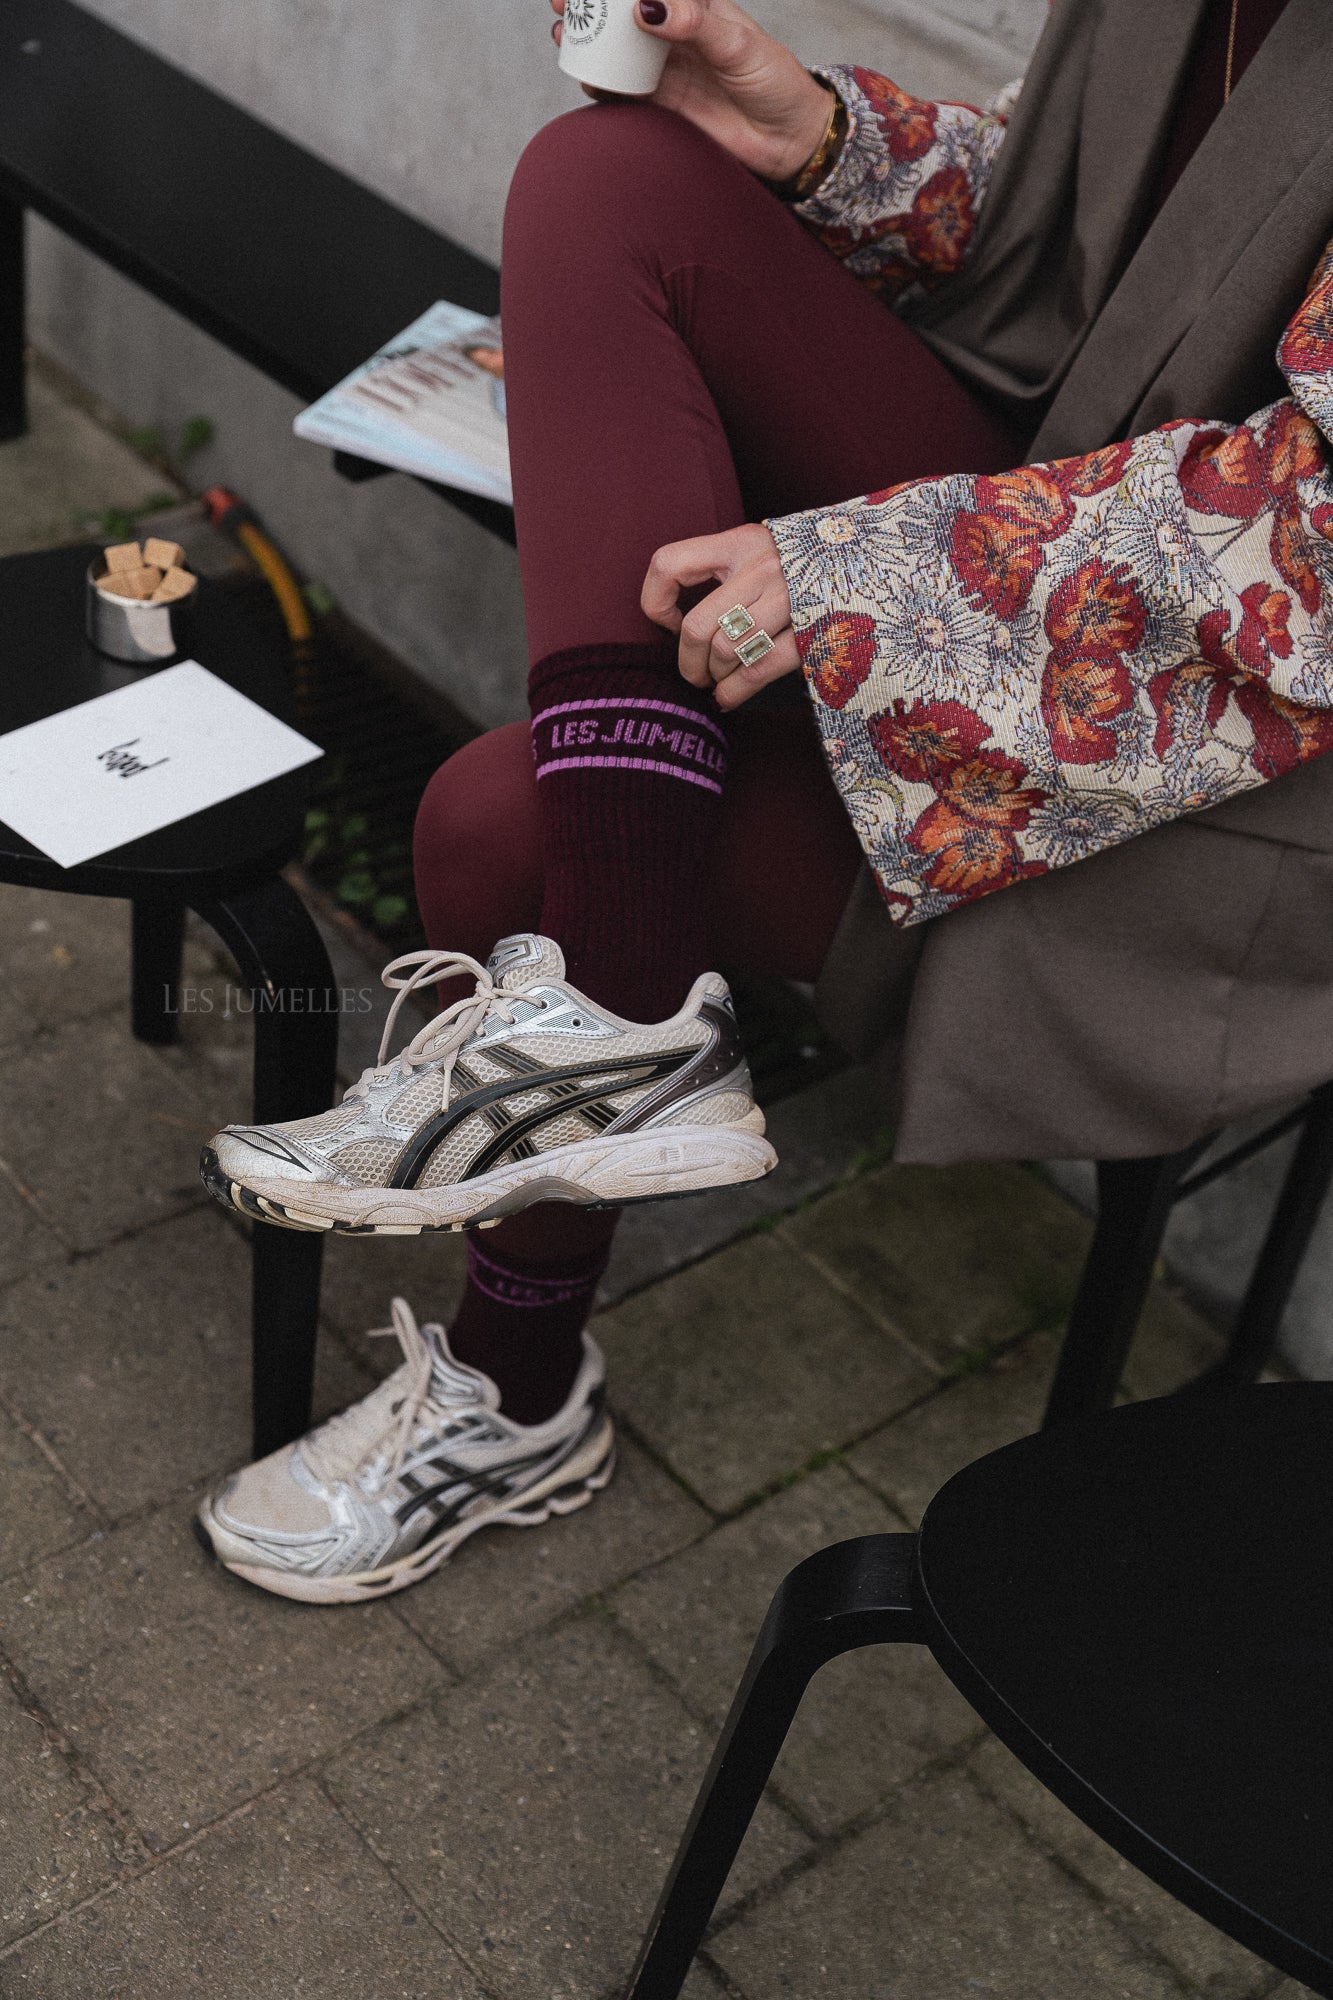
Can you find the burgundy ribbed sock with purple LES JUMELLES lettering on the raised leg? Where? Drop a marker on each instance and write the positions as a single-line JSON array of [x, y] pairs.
[[629, 767]]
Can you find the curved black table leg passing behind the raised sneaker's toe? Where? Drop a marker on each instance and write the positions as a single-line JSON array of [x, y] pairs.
[[283, 959]]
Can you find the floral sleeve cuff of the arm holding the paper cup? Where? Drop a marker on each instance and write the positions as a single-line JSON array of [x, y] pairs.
[[902, 205]]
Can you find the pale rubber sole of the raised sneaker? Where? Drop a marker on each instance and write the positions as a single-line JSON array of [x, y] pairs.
[[645, 1167]]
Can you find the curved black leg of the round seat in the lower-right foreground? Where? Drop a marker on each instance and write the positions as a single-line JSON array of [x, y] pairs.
[[846, 1597]]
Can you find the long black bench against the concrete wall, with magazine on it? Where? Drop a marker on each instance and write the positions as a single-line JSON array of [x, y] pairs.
[[283, 259]]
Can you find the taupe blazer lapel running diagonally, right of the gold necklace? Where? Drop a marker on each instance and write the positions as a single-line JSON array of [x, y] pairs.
[[1274, 131]]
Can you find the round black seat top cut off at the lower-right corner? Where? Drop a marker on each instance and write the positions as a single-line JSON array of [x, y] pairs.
[[1142, 1609]]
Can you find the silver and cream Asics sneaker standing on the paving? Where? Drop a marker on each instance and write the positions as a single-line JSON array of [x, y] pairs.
[[385, 1493]]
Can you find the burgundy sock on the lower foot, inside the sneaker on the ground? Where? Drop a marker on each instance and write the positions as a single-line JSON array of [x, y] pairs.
[[529, 1293]]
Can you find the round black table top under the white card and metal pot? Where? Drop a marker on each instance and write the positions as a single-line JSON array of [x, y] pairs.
[[49, 665]]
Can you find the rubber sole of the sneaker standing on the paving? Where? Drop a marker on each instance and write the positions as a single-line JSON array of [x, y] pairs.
[[561, 1493]]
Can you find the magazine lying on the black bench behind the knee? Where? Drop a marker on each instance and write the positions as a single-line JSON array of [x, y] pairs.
[[429, 403]]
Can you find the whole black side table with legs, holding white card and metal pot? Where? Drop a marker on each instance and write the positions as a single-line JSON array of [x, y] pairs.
[[225, 865]]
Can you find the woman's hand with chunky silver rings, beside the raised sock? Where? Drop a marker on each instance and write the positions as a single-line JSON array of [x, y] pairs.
[[746, 567]]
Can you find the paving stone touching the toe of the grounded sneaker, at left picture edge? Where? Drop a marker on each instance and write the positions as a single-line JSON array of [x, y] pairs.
[[189, 1691]]
